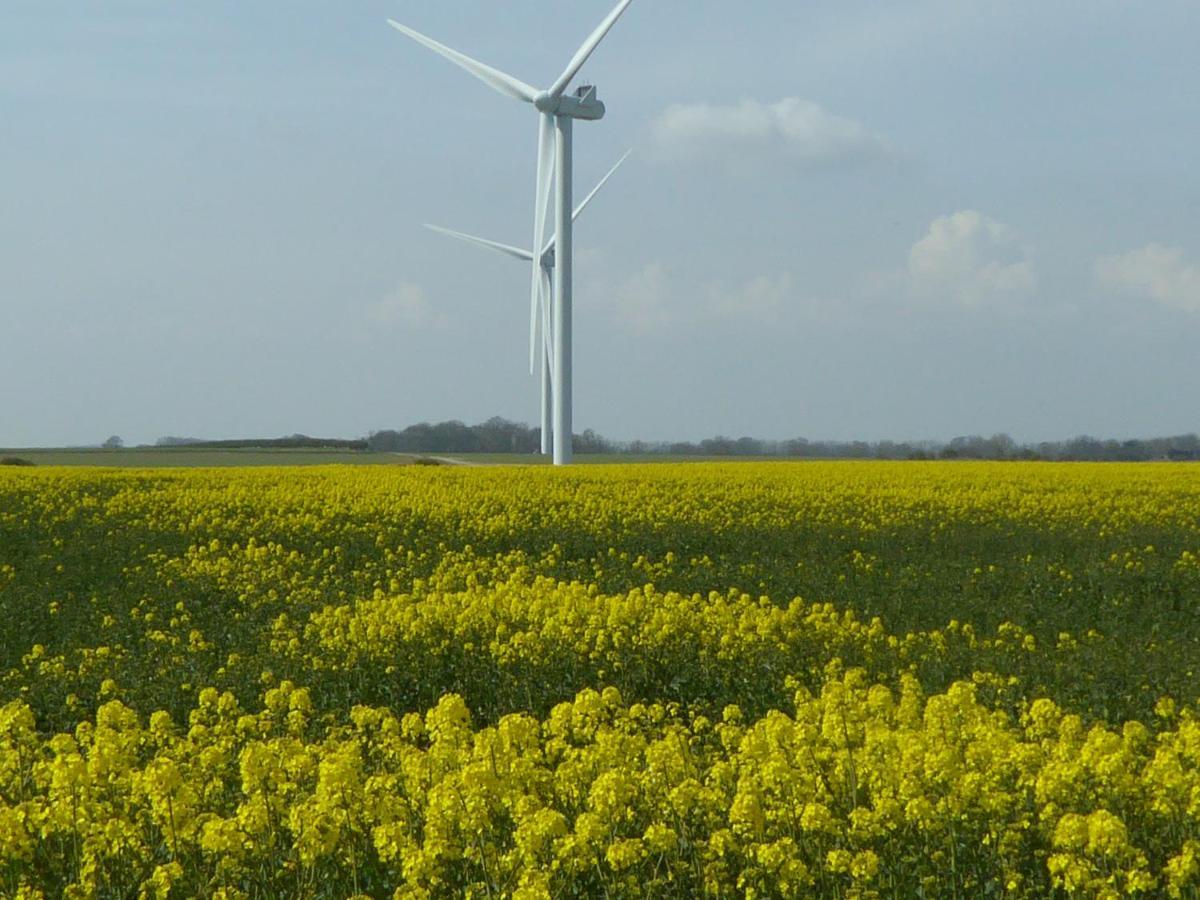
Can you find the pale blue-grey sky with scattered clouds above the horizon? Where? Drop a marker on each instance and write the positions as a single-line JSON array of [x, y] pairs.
[[842, 220]]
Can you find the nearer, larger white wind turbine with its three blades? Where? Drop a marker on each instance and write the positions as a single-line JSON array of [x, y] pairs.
[[557, 113]]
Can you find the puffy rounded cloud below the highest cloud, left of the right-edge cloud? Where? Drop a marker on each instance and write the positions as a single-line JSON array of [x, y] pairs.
[[971, 260]]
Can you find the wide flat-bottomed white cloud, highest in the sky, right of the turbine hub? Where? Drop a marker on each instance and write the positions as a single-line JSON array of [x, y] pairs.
[[793, 129]]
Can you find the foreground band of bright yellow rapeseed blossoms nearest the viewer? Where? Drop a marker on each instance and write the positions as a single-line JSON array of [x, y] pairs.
[[856, 790]]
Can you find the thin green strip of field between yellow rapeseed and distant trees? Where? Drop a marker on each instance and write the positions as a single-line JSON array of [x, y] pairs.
[[191, 458]]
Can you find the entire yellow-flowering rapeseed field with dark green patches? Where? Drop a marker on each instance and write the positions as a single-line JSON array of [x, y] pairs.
[[755, 680]]
